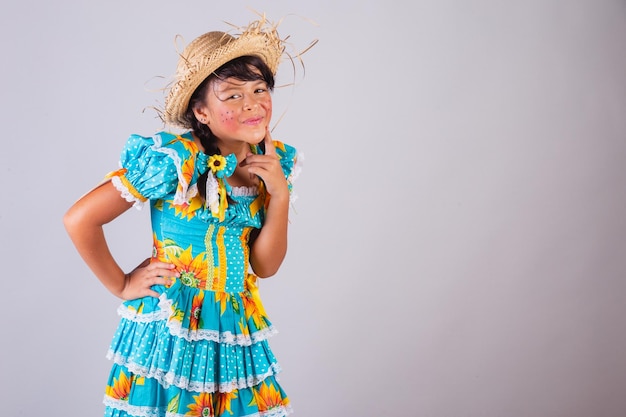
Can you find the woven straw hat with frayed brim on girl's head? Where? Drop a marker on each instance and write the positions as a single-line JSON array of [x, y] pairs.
[[210, 51]]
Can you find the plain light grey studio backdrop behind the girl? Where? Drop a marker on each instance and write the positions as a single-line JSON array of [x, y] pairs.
[[458, 247]]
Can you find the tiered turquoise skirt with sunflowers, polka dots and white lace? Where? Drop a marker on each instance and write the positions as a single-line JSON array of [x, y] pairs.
[[194, 352]]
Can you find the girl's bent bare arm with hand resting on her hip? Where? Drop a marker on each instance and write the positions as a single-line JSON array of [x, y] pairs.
[[84, 223]]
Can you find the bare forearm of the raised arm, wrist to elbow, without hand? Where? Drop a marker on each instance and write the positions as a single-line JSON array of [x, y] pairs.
[[270, 246]]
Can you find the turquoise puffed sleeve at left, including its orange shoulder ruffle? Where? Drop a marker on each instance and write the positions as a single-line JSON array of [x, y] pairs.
[[153, 168]]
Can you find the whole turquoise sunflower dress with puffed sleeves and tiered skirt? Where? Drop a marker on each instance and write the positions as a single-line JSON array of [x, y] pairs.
[[200, 349]]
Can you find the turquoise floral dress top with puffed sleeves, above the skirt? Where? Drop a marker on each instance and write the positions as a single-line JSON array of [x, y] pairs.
[[208, 243]]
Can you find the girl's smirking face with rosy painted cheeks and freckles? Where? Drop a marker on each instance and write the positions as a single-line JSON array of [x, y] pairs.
[[237, 111]]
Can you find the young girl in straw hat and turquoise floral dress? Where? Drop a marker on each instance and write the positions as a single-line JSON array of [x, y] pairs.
[[192, 339]]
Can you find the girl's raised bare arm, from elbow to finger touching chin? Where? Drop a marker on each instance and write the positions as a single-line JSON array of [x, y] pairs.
[[269, 245]]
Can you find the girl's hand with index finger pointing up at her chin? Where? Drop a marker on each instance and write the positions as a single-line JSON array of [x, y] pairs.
[[267, 167]]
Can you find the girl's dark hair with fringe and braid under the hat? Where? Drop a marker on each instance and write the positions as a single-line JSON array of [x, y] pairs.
[[242, 68]]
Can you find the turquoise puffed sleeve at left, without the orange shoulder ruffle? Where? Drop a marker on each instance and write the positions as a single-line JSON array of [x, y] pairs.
[[148, 170]]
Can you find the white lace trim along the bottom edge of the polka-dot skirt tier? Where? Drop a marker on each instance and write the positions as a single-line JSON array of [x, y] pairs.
[[167, 379]]
